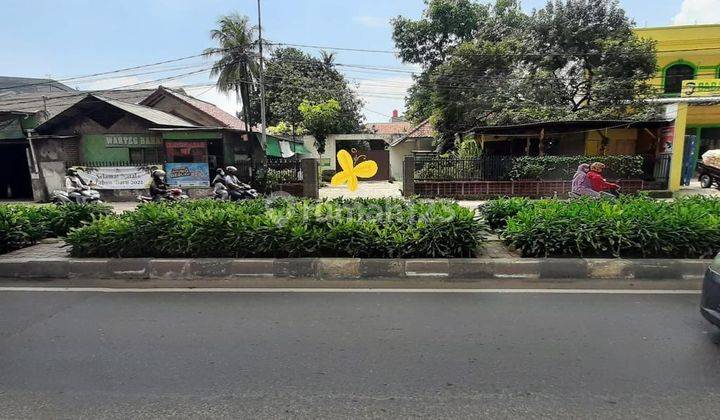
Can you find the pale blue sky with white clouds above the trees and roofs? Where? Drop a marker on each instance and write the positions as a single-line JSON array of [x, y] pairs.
[[79, 37]]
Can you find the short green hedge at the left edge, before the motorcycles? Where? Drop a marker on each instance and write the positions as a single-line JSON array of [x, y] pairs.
[[24, 225]]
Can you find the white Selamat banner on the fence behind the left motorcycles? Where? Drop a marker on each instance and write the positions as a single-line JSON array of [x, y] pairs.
[[118, 177]]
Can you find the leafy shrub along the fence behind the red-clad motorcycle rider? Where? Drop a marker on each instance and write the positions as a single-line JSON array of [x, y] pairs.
[[563, 167]]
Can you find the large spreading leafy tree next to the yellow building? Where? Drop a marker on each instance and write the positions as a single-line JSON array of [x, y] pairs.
[[572, 59]]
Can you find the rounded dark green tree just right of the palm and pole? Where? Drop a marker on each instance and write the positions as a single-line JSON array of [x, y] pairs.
[[292, 77]]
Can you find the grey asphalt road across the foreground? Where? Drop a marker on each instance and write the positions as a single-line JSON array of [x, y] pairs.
[[319, 355]]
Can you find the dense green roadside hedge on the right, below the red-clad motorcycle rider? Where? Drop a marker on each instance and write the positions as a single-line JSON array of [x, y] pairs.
[[631, 227]]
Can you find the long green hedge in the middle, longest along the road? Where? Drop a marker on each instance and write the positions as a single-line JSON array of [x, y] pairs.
[[380, 228]]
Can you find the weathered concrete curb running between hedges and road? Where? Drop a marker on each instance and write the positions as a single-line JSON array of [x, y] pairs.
[[460, 270]]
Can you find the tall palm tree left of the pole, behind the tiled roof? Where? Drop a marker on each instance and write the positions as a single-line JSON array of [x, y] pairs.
[[237, 67]]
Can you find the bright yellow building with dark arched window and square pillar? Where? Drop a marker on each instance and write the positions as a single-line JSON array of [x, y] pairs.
[[685, 53]]
